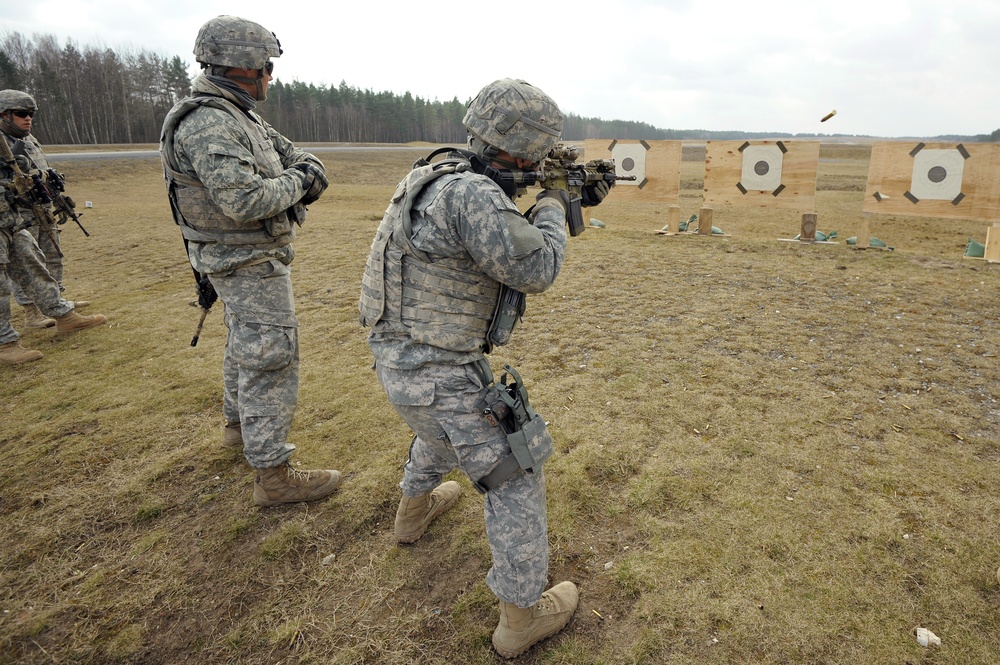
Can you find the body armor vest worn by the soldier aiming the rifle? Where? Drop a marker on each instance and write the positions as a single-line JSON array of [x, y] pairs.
[[447, 303]]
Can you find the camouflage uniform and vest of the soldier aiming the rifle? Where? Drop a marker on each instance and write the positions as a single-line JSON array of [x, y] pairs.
[[429, 357]]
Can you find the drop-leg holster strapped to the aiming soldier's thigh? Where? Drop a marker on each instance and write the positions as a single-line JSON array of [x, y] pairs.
[[507, 407]]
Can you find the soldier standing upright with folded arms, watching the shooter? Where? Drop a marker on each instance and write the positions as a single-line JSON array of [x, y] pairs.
[[237, 189]]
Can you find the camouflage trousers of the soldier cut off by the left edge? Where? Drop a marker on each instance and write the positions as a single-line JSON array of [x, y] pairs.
[[26, 268]]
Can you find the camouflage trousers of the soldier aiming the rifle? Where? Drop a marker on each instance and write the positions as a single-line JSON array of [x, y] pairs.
[[441, 404]]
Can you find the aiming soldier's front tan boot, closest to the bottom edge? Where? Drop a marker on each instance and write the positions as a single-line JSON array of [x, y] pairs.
[[519, 628]]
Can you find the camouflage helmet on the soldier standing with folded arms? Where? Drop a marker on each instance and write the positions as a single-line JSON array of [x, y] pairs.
[[231, 41]]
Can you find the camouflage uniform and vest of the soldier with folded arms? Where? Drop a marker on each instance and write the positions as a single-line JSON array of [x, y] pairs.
[[237, 203]]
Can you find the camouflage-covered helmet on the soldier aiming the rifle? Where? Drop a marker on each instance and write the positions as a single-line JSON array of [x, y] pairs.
[[516, 117]]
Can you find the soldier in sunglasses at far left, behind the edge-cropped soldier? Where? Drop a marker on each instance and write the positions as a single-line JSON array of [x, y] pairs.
[[17, 110]]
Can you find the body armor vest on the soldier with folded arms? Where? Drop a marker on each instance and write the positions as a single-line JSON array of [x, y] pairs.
[[200, 219]]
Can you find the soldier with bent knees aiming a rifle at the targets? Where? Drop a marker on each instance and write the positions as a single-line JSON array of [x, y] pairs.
[[444, 283]]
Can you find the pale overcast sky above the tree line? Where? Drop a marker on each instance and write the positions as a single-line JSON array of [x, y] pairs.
[[890, 68]]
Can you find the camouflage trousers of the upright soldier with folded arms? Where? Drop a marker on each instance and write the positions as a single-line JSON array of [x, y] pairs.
[[260, 370]]
